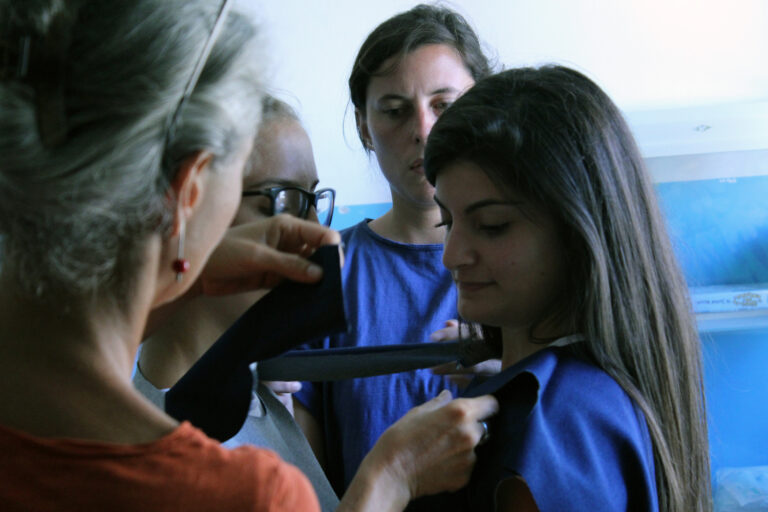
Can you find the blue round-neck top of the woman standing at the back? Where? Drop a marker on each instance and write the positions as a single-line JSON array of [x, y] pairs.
[[394, 293]]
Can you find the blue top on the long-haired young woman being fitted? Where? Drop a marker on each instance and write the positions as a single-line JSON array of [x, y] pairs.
[[572, 433]]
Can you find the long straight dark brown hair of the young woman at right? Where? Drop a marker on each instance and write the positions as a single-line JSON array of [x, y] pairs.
[[553, 136]]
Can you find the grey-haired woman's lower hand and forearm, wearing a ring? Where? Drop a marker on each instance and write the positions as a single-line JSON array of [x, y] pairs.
[[430, 450]]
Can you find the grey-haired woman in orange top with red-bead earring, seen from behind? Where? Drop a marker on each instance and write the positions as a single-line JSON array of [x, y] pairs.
[[126, 126]]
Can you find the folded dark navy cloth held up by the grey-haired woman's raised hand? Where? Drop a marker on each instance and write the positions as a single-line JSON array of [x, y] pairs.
[[215, 394]]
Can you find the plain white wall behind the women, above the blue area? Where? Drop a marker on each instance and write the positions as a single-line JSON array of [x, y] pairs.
[[649, 55]]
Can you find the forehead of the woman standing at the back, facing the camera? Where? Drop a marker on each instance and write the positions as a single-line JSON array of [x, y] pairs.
[[425, 69]]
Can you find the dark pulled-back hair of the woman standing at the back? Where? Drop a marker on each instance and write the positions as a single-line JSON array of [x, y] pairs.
[[407, 31]]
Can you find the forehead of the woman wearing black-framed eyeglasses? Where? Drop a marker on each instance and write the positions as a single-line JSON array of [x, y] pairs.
[[282, 153]]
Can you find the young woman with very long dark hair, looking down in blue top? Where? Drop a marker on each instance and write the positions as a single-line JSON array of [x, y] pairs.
[[558, 248]]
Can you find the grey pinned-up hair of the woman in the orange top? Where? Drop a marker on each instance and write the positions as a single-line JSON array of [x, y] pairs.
[[76, 209]]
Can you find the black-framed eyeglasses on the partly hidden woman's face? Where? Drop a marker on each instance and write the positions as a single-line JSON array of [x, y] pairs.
[[296, 201]]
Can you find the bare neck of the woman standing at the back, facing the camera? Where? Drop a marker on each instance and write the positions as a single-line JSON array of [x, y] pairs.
[[409, 223]]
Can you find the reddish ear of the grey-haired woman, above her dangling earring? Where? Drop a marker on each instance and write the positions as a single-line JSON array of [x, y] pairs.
[[188, 186]]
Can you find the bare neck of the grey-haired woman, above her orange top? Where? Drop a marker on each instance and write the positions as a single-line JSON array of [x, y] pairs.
[[66, 366]]
